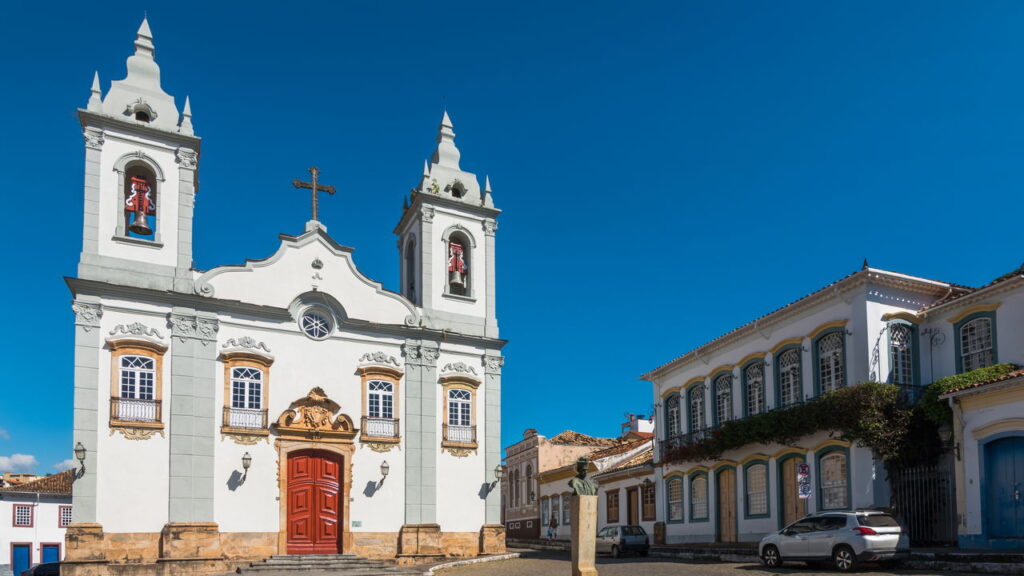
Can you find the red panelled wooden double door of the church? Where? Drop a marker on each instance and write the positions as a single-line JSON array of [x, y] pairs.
[[314, 503]]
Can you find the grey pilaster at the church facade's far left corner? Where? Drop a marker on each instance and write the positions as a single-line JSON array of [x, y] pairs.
[[87, 416]]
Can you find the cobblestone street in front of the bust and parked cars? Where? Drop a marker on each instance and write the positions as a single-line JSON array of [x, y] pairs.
[[558, 564]]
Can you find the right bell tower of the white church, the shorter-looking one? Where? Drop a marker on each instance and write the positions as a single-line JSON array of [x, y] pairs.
[[447, 244]]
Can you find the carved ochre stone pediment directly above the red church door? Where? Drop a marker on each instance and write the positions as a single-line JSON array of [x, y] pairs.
[[316, 418]]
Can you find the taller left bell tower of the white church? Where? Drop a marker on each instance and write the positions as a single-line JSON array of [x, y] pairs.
[[142, 159]]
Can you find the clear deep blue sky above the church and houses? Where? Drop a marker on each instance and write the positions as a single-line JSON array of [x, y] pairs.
[[668, 171]]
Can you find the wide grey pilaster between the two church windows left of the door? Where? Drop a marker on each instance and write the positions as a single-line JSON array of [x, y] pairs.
[[193, 416]]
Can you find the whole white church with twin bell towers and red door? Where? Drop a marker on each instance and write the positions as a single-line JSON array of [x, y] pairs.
[[288, 405]]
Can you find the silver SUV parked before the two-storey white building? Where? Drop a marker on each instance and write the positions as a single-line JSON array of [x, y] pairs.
[[845, 540]]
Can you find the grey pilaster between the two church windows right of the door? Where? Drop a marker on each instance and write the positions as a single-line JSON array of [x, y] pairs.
[[421, 428]]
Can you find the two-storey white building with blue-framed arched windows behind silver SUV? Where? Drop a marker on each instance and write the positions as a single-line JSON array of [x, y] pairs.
[[871, 326]]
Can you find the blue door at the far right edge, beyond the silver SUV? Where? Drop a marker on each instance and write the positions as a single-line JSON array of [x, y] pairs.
[[1005, 490]]
